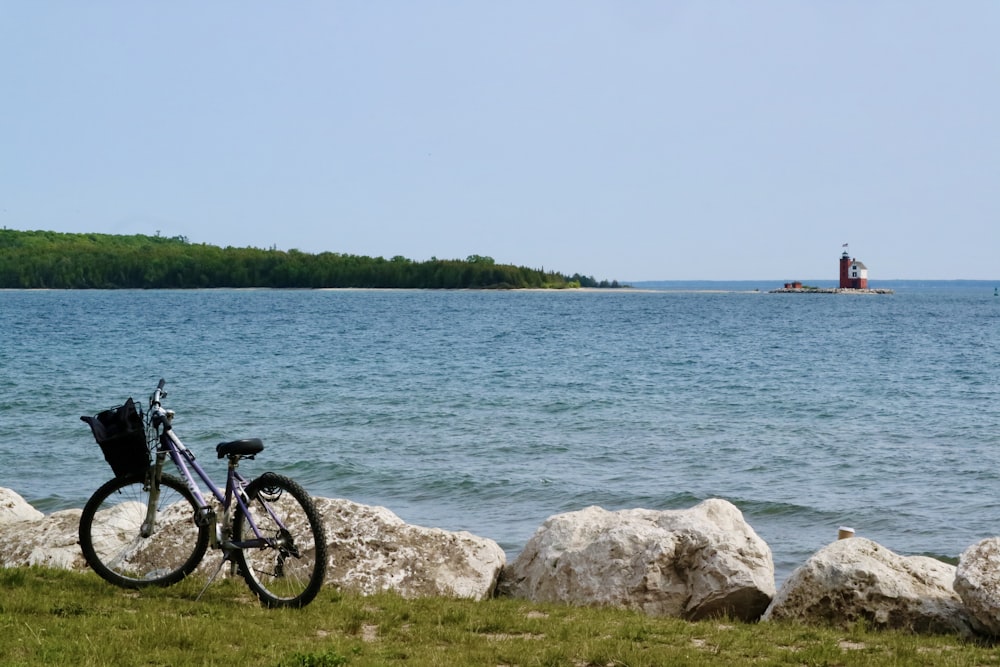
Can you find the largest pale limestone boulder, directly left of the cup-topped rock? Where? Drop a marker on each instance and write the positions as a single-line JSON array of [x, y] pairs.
[[689, 563]]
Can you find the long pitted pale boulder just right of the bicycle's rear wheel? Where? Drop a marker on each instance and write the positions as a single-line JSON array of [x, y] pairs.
[[372, 549]]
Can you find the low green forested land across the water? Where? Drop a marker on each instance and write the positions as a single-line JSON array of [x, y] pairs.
[[55, 260]]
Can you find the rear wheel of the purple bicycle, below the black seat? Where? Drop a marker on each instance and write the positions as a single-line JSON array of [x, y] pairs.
[[290, 570]]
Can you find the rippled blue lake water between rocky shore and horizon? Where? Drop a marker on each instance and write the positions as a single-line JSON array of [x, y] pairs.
[[490, 411]]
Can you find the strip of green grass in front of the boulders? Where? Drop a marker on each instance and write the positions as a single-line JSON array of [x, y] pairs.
[[56, 617]]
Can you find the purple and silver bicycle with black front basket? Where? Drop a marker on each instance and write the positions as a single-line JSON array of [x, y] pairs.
[[146, 527]]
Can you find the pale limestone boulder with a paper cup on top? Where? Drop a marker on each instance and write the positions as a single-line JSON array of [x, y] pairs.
[[855, 579]]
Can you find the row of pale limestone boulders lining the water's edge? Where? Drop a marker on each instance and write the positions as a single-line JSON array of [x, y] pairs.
[[694, 563]]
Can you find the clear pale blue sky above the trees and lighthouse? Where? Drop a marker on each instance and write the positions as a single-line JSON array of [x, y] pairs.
[[624, 140]]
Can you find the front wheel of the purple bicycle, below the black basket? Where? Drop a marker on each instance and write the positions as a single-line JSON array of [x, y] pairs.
[[113, 546]]
